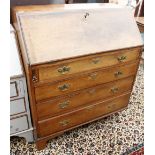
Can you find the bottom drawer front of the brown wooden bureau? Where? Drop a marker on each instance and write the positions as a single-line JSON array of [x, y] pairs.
[[84, 115]]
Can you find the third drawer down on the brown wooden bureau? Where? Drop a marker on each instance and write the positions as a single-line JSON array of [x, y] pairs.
[[68, 103]]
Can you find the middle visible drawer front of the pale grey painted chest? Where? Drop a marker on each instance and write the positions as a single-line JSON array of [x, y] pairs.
[[17, 106]]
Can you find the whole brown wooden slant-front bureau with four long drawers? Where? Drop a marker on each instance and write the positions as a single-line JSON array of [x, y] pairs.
[[80, 60]]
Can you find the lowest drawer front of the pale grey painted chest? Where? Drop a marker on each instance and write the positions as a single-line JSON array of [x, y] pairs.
[[18, 124]]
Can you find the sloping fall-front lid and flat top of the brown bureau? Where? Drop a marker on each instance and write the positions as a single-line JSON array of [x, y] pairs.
[[56, 32]]
